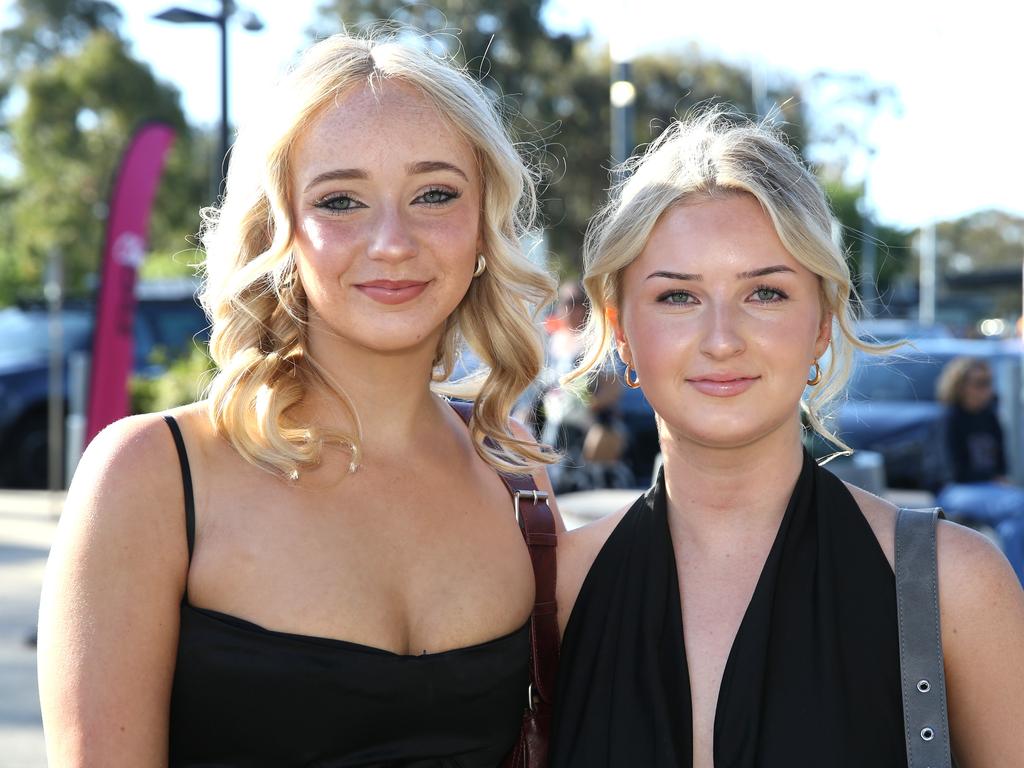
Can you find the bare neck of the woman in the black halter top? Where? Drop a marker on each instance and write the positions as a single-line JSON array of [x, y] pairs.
[[716, 494]]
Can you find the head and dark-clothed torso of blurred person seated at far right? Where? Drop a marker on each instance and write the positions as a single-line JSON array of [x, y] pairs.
[[974, 438]]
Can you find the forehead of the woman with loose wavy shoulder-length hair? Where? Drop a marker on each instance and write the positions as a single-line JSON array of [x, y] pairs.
[[377, 130]]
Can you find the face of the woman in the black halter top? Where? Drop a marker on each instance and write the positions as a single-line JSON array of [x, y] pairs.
[[721, 324]]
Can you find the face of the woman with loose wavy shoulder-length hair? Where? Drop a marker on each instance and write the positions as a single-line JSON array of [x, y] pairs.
[[388, 220]]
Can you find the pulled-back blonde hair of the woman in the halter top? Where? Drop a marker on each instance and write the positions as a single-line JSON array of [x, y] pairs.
[[710, 155]]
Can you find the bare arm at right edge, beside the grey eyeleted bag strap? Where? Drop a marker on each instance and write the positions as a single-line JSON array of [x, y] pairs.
[[983, 614]]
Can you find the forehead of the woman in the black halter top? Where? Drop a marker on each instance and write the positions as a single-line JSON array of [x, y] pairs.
[[703, 236]]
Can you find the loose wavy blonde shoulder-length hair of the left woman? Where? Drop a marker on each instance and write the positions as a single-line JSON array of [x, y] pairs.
[[255, 302]]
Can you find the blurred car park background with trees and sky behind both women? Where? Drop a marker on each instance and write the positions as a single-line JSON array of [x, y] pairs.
[[909, 116]]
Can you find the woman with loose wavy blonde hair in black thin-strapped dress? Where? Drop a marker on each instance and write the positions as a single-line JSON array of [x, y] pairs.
[[320, 564]]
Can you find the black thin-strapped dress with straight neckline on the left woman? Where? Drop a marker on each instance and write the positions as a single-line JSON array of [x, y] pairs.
[[245, 697]]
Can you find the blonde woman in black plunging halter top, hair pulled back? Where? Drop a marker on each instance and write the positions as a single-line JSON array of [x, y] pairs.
[[743, 613]]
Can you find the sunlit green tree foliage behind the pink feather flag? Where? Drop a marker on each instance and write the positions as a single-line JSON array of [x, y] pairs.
[[83, 97]]
